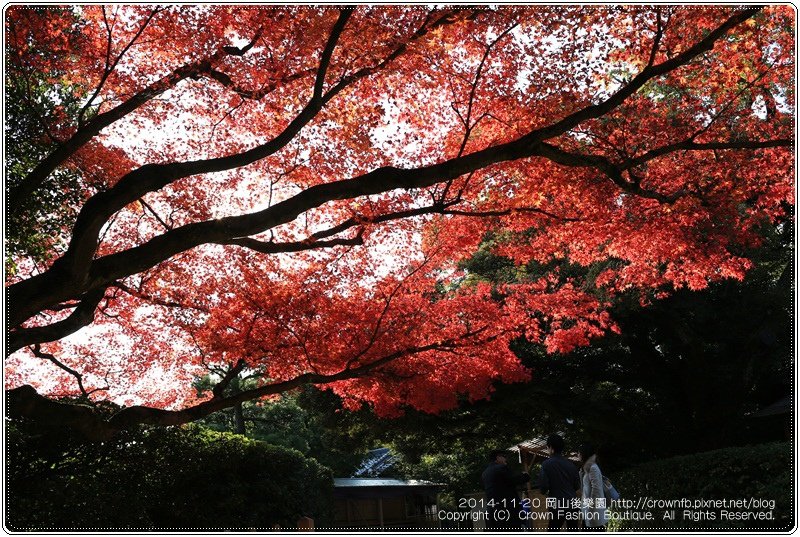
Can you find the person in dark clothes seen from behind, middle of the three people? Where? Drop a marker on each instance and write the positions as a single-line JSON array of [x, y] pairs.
[[559, 481]]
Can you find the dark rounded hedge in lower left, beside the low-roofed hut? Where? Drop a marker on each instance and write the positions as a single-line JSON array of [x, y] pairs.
[[161, 478]]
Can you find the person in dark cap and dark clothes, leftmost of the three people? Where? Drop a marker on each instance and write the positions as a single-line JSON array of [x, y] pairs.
[[502, 500]]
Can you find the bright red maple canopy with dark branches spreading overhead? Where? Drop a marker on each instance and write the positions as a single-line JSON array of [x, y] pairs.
[[293, 191]]
